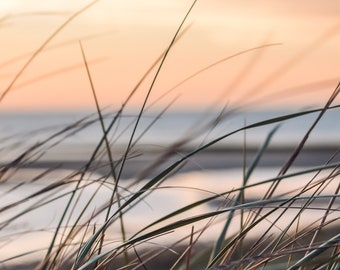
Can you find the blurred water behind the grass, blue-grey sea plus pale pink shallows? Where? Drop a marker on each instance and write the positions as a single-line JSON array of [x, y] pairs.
[[19, 131]]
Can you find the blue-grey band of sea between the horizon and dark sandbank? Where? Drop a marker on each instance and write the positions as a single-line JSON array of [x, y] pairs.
[[172, 126]]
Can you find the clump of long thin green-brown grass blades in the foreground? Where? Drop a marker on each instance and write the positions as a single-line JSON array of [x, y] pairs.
[[95, 206]]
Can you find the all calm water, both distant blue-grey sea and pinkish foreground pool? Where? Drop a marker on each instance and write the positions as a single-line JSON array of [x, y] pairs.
[[17, 131]]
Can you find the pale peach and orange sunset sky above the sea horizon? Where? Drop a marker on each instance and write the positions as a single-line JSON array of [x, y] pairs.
[[299, 64]]
